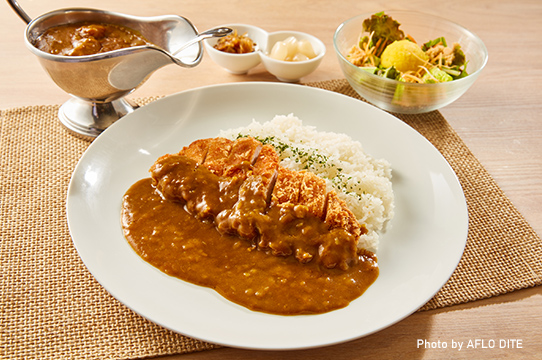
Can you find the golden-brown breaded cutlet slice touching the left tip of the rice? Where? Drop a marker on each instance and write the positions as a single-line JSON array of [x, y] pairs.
[[243, 154]]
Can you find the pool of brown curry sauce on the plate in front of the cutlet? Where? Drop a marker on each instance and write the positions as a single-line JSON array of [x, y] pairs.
[[168, 237]]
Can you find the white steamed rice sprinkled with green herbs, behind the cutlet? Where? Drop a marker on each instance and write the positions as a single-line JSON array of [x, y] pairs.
[[363, 182]]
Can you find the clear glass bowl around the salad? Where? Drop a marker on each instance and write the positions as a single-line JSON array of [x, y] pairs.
[[409, 97]]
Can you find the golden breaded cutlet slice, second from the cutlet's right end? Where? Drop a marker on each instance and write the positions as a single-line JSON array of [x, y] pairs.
[[312, 194]]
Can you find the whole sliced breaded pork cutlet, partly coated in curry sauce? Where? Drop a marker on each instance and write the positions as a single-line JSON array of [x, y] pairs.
[[242, 186]]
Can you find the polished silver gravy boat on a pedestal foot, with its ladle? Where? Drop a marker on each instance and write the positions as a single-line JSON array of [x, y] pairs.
[[98, 83]]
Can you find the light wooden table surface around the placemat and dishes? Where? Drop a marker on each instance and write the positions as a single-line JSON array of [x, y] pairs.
[[499, 119]]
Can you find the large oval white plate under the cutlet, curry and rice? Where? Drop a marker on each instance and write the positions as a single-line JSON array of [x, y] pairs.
[[416, 257]]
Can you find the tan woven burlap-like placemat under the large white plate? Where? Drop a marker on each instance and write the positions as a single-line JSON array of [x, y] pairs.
[[52, 308]]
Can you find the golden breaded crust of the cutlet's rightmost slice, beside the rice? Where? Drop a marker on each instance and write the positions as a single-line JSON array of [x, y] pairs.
[[338, 215]]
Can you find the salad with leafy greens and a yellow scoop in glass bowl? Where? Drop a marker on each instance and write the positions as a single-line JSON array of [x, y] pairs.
[[386, 51]]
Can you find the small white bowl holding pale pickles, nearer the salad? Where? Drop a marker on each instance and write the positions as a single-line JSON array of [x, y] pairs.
[[292, 71]]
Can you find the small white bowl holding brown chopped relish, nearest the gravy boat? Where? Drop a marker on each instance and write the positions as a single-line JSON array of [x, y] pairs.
[[238, 63]]
